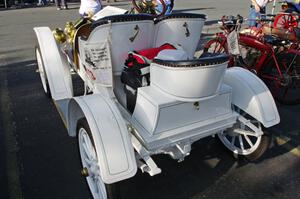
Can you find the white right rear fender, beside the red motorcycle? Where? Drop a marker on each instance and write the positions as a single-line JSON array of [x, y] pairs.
[[251, 95]]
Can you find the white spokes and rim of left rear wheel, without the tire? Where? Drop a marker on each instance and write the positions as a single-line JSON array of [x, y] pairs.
[[90, 164]]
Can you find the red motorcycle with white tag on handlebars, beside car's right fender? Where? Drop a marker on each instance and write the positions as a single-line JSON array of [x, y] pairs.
[[270, 57]]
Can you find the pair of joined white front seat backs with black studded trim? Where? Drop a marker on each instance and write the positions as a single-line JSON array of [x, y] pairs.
[[136, 32]]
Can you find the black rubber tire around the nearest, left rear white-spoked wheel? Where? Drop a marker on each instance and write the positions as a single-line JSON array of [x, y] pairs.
[[112, 190]]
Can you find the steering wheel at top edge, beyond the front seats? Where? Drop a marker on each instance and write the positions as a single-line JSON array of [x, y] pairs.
[[150, 7]]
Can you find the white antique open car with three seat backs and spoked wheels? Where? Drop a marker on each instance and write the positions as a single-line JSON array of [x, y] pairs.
[[119, 126]]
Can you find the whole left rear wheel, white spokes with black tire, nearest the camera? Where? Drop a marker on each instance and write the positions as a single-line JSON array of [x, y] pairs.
[[91, 169]]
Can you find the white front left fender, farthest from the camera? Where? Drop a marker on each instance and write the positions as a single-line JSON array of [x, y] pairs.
[[57, 69]]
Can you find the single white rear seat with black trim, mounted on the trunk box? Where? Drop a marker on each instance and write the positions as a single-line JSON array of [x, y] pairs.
[[190, 80]]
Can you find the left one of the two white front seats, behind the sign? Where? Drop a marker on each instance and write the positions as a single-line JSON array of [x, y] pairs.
[[126, 33]]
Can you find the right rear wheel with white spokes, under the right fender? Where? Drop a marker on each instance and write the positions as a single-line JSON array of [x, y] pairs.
[[246, 138]]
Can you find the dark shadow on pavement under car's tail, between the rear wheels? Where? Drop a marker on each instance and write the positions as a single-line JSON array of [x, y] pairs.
[[207, 163]]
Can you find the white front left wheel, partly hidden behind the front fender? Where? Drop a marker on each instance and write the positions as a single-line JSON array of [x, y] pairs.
[[42, 72]]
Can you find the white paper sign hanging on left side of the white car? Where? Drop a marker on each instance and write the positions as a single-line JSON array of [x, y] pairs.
[[97, 61]]
